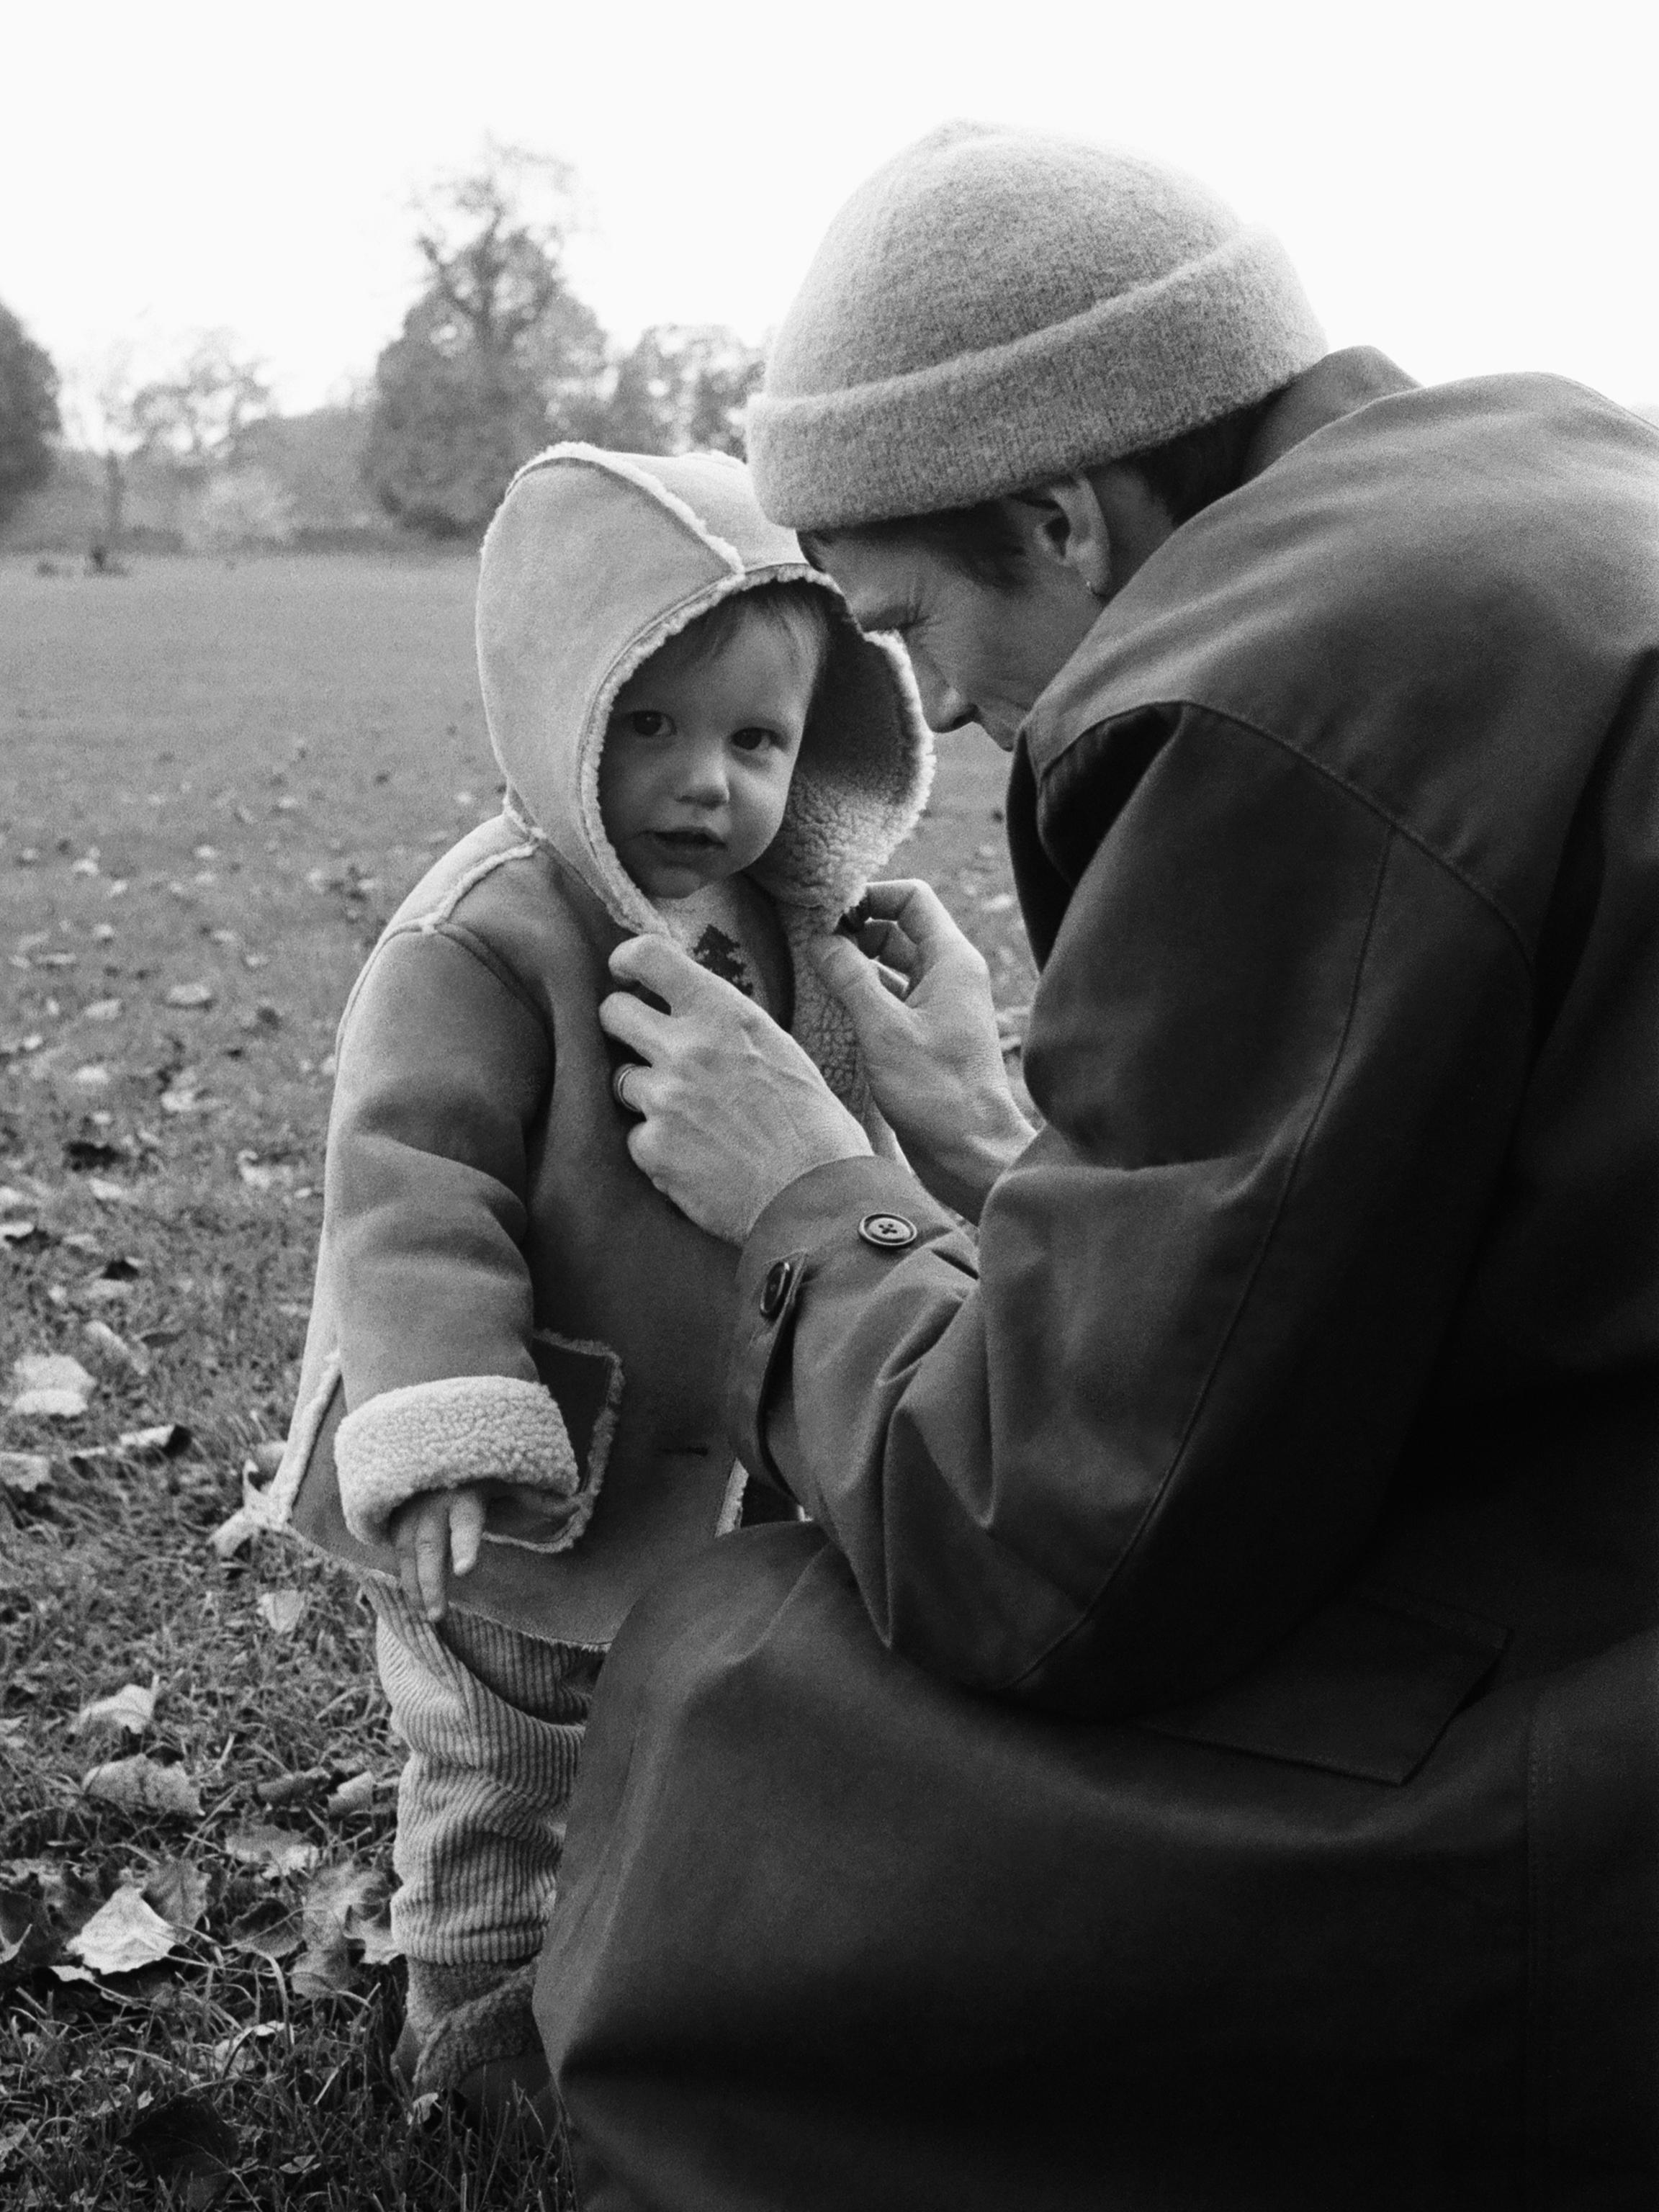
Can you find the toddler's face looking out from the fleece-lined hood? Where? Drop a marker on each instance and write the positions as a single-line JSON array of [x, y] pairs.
[[698, 760]]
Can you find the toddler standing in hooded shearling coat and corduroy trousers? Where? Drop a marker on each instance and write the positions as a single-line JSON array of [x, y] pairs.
[[510, 1410]]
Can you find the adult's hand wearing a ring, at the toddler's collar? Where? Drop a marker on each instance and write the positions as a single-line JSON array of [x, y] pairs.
[[731, 1107]]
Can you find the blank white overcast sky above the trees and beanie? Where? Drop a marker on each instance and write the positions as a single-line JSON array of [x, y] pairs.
[[1472, 187]]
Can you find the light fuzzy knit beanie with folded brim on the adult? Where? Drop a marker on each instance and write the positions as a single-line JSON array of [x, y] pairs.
[[997, 309]]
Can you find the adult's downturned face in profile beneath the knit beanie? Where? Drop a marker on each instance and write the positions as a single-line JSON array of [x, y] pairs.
[[981, 651]]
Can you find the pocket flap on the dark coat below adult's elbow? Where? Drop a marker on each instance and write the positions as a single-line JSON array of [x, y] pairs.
[[1366, 1687]]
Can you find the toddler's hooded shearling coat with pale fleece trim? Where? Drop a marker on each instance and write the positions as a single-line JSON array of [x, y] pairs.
[[501, 1295]]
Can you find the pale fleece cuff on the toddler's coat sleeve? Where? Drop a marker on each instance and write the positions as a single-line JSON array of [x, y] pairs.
[[448, 1437]]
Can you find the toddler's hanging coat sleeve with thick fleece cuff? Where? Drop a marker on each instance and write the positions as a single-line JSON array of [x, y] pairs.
[[444, 1074]]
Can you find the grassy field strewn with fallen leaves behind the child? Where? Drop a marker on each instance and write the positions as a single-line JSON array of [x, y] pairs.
[[218, 784]]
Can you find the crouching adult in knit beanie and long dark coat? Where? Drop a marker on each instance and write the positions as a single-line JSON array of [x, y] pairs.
[[1202, 1746]]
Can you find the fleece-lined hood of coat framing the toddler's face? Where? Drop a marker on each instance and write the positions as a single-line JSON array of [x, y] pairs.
[[592, 563]]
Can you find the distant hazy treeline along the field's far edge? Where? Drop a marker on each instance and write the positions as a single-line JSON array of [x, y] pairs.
[[497, 359]]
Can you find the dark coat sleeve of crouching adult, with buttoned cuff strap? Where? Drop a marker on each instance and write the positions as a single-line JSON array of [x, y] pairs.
[[1112, 1457]]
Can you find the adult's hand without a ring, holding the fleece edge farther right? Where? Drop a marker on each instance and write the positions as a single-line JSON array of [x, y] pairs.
[[932, 1050]]
